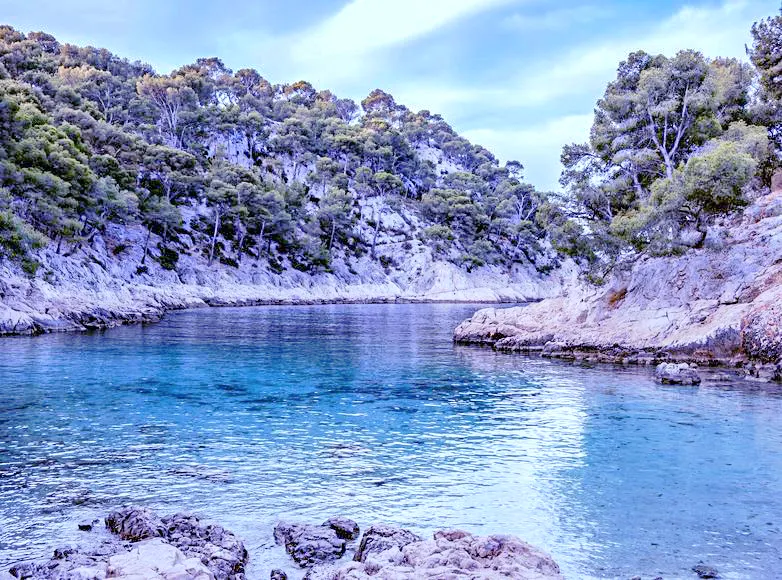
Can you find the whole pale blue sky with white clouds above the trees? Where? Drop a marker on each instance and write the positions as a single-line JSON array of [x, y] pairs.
[[518, 76]]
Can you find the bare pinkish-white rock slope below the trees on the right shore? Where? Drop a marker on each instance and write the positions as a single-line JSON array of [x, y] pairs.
[[716, 305]]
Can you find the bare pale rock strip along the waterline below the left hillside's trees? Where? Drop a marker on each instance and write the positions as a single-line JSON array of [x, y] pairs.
[[105, 284]]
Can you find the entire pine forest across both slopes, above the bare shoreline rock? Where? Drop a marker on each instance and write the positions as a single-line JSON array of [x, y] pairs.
[[232, 167]]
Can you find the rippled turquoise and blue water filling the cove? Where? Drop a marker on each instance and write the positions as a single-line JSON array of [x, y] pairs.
[[369, 411]]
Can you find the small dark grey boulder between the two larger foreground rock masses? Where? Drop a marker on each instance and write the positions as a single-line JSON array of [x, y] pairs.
[[309, 545]]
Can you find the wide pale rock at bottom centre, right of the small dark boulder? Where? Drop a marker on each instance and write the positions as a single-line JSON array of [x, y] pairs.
[[450, 554]]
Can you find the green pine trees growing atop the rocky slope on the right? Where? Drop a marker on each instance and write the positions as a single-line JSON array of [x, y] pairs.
[[675, 142]]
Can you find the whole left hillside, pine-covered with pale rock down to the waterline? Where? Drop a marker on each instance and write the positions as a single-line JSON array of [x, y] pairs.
[[124, 192]]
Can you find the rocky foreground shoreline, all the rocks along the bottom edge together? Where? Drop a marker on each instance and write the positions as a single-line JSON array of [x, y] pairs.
[[142, 545]]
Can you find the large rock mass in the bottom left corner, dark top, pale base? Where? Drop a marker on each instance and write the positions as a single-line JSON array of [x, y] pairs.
[[147, 546]]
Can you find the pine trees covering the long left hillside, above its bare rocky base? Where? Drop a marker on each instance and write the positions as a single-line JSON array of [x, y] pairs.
[[228, 165]]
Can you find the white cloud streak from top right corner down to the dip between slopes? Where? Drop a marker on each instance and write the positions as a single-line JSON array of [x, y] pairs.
[[575, 80]]
